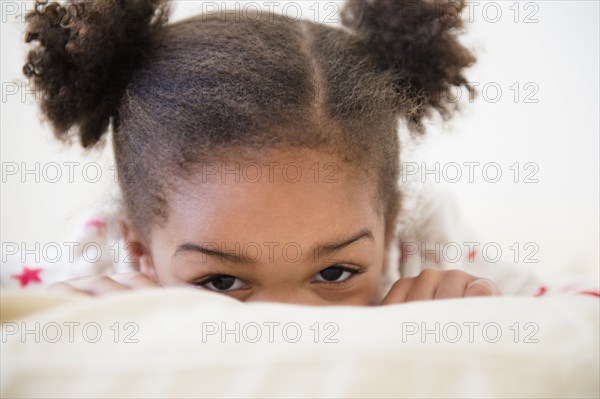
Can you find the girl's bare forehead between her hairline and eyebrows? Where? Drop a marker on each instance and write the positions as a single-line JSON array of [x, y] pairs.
[[279, 195]]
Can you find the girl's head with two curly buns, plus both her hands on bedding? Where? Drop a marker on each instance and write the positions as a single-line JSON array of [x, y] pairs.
[[257, 156]]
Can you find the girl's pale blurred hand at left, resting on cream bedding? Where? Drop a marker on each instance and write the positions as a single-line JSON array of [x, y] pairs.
[[99, 285]]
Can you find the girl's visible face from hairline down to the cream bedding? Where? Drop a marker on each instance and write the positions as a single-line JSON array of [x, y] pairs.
[[292, 226]]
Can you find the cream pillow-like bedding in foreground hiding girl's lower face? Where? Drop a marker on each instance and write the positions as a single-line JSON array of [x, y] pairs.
[[178, 342]]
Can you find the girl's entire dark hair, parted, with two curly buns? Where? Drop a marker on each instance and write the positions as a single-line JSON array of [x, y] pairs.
[[182, 93]]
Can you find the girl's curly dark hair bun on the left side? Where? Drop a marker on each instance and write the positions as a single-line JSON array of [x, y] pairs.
[[86, 54]]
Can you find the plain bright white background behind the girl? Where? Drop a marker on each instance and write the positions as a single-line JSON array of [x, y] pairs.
[[557, 53]]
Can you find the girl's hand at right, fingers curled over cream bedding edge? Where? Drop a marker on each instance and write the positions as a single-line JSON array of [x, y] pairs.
[[439, 284]]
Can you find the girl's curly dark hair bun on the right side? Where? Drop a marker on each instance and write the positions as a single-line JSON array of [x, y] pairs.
[[418, 40]]
